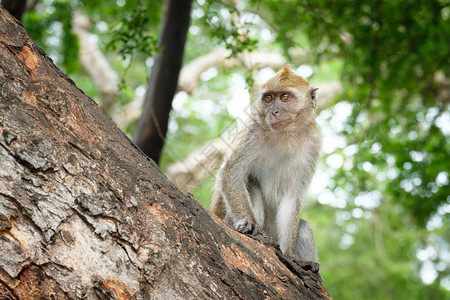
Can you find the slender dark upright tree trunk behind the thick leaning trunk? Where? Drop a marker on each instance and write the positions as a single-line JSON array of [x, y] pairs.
[[152, 126]]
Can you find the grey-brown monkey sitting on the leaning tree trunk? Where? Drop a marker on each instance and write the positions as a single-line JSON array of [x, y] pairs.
[[262, 184]]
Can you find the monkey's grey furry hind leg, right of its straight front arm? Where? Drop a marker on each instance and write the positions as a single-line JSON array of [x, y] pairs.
[[305, 249]]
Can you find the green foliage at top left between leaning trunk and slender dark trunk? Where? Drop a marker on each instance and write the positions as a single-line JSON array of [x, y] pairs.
[[132, 33]]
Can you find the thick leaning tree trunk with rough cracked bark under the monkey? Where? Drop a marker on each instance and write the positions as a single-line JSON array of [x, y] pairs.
[[84, 214]]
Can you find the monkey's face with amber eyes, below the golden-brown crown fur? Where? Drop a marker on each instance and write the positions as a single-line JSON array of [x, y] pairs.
[[284, 110]]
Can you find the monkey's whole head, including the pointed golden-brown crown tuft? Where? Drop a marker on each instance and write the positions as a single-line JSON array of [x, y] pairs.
[[285, 101]]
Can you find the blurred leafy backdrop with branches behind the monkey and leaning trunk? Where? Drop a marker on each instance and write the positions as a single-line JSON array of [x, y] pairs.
[[380, 200]]
